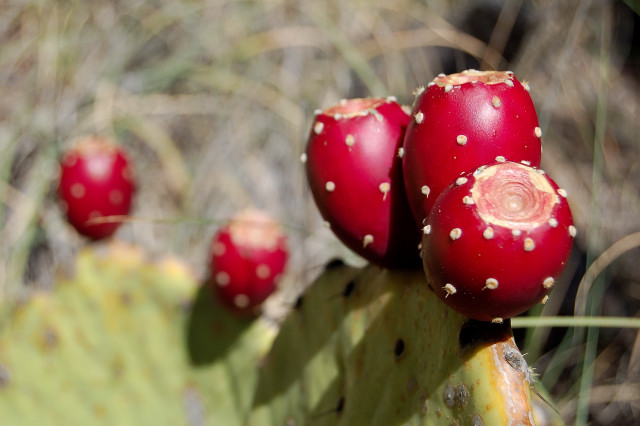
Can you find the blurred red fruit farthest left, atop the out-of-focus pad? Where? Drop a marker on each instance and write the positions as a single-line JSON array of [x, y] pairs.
[[96, 180]]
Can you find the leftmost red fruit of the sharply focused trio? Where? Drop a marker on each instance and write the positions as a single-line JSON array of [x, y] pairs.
[[354, 169]]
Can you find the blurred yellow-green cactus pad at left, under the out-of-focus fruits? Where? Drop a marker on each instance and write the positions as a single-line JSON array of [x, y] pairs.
[[127, 342]]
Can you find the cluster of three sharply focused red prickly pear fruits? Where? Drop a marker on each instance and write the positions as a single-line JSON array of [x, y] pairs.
[[459, 171]]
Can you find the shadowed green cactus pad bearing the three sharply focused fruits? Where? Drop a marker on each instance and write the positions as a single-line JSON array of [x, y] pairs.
[[376, 347]]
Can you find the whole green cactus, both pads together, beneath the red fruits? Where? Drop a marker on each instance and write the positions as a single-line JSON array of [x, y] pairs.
[[126, 341]]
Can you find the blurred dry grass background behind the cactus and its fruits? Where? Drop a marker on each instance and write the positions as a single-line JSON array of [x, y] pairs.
[[214, 100]]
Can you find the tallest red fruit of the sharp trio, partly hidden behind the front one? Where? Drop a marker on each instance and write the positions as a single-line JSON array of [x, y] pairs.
[[462, 121]]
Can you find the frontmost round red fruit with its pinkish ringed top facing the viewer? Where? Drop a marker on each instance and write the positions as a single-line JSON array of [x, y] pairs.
[[497, 240]]
